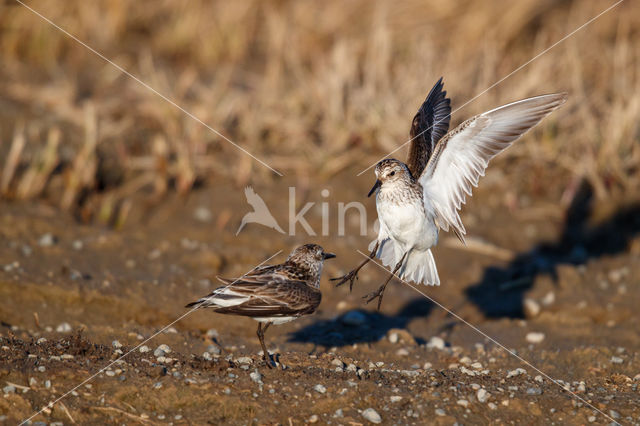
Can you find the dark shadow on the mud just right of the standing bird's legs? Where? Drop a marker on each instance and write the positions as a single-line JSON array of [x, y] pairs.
[[360, 326]]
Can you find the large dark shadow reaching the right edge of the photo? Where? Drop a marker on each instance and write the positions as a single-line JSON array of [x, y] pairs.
[[501, 291]]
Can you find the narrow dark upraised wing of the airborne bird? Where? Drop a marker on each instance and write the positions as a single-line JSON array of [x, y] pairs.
[[430, 123]]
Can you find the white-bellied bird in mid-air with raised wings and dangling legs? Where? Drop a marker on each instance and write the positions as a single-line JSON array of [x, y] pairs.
[[416, 199]]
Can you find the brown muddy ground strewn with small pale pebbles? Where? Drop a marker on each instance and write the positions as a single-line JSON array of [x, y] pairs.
[[557, 285]]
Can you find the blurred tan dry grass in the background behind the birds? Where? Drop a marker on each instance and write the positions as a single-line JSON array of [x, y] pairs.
[[312, 88]]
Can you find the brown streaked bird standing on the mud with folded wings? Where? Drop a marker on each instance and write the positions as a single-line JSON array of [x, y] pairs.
[[272, 294]]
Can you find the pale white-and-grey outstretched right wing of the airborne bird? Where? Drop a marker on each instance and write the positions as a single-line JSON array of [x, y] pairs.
[[462, 156]]
